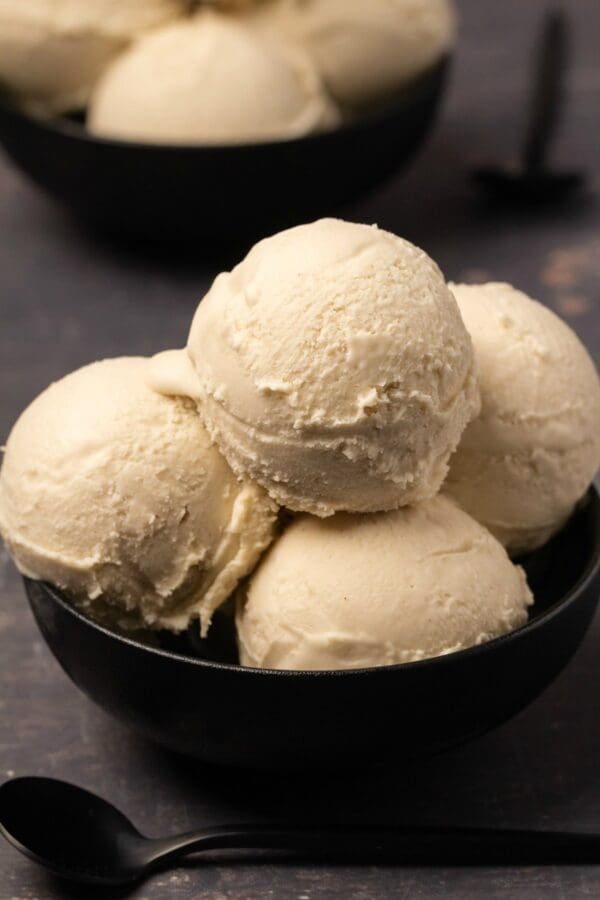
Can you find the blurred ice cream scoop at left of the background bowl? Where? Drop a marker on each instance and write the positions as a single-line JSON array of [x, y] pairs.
[[53, 51]]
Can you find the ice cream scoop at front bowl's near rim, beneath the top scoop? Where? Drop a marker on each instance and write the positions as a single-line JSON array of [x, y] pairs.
[[358, 591]]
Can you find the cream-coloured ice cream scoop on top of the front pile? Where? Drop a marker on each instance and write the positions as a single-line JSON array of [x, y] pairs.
[[334, 369]]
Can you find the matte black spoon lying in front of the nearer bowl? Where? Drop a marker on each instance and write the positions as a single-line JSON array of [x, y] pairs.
[[81, 837]]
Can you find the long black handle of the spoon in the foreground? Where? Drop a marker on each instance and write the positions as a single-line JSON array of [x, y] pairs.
[[464, 846]]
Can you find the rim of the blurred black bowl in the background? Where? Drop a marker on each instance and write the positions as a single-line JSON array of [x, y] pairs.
[[67, 128]]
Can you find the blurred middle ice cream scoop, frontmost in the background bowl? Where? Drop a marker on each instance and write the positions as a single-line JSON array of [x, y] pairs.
[[210, 80]]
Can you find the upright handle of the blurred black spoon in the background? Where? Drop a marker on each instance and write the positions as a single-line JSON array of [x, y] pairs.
[[547, 93]]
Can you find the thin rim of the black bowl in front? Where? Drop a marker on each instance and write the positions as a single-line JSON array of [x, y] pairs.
[[587, 576]]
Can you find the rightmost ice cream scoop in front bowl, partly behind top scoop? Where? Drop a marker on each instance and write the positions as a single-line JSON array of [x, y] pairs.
[[525, 462]]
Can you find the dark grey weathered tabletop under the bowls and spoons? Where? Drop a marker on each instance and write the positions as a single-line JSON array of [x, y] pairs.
[[65, 299]]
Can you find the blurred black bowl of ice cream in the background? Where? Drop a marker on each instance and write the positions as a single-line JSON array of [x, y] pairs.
[[183, 192]]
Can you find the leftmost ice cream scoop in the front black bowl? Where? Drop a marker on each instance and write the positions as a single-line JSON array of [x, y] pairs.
[[116, 495]]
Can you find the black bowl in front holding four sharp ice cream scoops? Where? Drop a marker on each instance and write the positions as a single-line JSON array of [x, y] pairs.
[[224, 713]]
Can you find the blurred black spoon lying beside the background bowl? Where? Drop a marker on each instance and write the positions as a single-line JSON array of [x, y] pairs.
[[530, 179]]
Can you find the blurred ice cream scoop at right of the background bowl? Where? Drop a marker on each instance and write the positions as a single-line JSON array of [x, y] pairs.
[[365, 51]]
